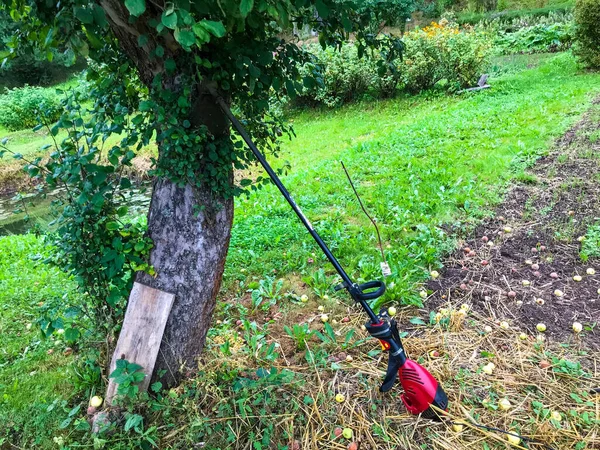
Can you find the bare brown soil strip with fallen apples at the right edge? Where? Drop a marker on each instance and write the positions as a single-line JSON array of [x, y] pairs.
[[539, 223]]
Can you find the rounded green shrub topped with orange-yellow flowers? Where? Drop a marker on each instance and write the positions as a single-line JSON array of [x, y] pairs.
[[440, 53]]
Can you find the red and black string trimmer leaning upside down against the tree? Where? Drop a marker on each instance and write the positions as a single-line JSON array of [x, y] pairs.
[[422, 393]]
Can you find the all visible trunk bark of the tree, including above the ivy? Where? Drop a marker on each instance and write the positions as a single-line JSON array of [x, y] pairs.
[[189, 225]]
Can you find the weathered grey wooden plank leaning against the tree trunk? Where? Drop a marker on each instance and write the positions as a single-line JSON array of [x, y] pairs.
[[142, 331]]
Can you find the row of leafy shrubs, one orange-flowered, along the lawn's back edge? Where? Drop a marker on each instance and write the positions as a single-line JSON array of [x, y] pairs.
[[439, 53]]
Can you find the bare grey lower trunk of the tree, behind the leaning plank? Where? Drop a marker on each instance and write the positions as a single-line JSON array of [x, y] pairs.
[[189, 257]]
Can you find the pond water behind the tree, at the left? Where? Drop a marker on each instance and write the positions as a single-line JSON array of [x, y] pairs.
[[17, 216]]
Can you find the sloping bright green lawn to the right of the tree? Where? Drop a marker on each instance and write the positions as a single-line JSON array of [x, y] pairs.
[[422, 165]]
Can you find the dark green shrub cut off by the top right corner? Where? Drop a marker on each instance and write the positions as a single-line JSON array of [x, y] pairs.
[[587, 32]]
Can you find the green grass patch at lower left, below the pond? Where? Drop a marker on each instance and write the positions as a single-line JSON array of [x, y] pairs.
[[30, 379]]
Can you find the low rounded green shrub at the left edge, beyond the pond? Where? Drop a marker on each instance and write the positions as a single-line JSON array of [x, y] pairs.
[[20, 108]]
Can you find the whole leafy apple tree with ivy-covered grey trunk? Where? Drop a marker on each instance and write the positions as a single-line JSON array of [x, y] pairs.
[[150, 65]]
